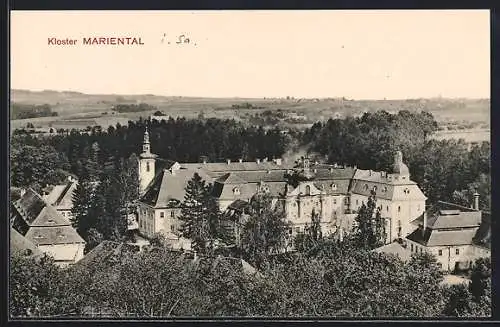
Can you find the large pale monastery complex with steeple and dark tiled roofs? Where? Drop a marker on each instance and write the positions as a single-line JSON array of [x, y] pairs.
[[334, 192]]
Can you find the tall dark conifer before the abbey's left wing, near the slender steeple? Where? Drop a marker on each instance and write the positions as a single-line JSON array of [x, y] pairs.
[[200, 216]]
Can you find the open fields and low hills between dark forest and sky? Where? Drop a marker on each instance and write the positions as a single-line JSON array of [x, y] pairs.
[[452, 114]]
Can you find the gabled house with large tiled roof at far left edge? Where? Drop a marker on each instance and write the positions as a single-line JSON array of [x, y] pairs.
[[51, 233]]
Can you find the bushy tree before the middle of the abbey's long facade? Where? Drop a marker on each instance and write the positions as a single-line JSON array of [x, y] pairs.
[[265, 230]]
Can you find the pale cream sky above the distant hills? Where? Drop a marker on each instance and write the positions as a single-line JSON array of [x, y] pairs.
[[353, 54]]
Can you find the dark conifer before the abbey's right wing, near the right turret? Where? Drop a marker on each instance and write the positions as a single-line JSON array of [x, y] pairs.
[[370, 228]]
